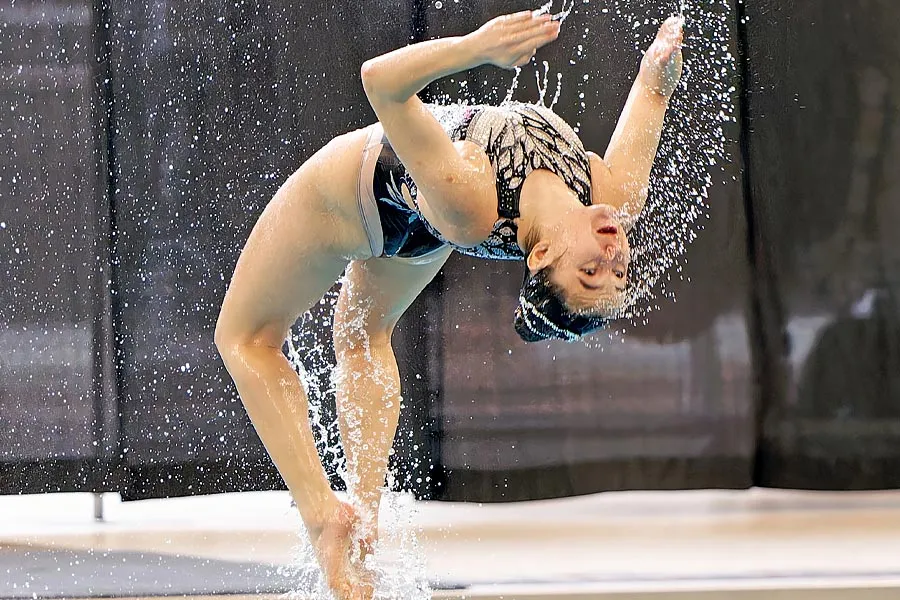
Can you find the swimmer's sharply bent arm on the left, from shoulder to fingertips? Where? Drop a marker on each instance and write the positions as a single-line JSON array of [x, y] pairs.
[[453, 184]]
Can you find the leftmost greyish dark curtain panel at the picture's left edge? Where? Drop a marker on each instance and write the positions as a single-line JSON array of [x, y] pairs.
[[55, 376]]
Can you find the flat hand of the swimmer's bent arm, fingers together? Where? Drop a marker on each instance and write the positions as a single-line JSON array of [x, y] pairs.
[[512, 40]]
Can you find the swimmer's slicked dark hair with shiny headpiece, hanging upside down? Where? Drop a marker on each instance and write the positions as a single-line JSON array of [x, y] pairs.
[[542, 314]]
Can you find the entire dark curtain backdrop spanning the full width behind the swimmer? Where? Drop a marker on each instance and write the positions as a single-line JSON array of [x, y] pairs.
[[140, 140]]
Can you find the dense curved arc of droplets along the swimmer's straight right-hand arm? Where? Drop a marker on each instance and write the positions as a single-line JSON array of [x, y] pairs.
[[692, 149]]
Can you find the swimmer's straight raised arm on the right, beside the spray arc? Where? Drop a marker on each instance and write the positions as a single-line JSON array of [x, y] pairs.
[[622, 177]]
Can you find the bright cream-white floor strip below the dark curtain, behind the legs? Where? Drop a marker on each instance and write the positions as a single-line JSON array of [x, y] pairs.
[[672, 545]]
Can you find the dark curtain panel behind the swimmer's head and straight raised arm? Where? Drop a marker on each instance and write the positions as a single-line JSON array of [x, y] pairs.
[[667, 405]]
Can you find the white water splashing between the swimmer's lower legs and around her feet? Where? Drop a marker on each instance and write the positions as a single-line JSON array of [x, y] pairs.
[[398, 561]]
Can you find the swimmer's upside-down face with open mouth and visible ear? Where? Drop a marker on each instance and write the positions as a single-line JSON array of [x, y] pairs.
[[588, 253]]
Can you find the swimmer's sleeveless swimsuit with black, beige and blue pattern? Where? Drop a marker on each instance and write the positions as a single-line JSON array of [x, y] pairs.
[[517, 138]]
